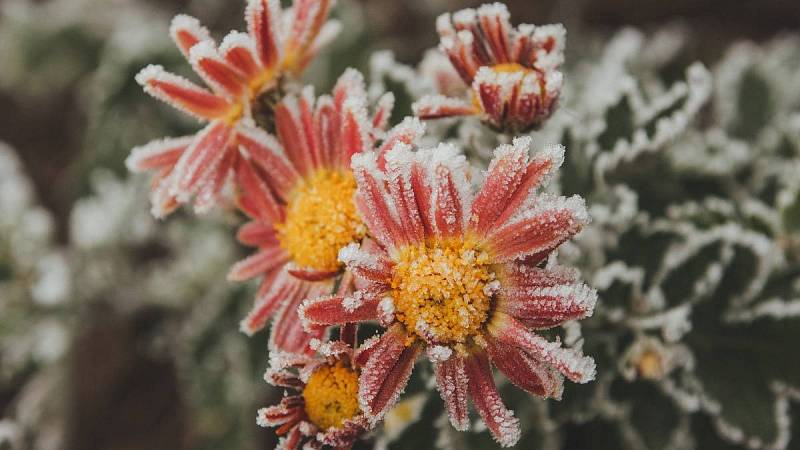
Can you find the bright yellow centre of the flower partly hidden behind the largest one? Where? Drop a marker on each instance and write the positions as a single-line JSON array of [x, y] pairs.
[[321, 218]]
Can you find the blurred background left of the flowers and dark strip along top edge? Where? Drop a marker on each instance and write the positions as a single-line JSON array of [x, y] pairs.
[[126, 338]]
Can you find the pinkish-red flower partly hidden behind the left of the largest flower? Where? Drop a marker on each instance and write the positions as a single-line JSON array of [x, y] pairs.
[[300, 198]]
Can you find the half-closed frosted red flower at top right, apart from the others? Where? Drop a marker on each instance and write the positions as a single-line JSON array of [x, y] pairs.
[[513, 72]]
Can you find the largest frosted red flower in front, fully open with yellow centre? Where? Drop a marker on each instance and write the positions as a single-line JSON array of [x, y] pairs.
[[460, 276]]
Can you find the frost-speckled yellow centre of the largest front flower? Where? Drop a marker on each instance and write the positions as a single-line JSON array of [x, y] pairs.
[[443, 289]]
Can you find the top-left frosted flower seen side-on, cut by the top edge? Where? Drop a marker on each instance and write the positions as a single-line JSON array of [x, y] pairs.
[[244, 69]]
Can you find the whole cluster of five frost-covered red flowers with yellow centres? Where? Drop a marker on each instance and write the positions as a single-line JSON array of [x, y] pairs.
[[353, 222]]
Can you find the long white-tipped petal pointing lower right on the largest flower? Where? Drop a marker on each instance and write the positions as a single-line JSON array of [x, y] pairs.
[[570, 362]]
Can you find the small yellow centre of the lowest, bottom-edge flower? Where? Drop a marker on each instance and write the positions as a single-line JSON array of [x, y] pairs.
[[331, 396]]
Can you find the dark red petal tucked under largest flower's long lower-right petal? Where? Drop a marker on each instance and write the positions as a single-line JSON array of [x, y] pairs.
[[525, 371]]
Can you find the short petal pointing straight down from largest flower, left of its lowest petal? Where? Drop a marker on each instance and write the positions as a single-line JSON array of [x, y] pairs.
[[452, 382]]
